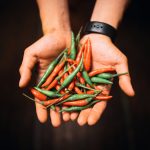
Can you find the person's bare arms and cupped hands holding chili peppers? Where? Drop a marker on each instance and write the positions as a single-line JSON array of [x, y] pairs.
[[57, 36]]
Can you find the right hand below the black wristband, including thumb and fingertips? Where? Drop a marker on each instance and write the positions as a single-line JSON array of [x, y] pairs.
[[104, 54]]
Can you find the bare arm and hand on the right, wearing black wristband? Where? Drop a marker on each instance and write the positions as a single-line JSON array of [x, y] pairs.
[[106, 54]]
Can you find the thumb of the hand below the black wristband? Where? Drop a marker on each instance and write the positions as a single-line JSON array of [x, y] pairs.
[[125, 80]]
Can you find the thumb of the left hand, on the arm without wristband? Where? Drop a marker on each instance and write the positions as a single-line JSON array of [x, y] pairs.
[[29, 60]]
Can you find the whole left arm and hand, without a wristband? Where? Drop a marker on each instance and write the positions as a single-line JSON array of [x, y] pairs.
[[56, 28]]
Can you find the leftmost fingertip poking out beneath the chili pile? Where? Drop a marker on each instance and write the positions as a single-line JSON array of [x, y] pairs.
[[41, 113]]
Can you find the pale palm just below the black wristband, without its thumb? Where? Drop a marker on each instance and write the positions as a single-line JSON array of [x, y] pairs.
[[104, 53]]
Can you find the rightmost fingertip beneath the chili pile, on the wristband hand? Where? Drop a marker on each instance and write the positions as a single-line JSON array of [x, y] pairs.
[[96, 112]]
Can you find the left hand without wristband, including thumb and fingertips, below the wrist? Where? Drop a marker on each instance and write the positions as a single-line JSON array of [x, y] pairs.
[[42, 53]]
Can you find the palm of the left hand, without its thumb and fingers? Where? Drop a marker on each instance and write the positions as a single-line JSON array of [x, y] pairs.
[[49, 47]]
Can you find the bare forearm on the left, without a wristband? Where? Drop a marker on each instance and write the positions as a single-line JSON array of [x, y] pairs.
[[54, 15]]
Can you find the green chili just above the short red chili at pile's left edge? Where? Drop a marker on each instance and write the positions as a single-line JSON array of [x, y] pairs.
[[48, 93]]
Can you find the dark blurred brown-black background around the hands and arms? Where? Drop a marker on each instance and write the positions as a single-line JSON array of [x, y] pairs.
[[125, 124]]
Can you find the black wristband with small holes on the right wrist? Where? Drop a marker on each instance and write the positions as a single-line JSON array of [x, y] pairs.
[[100, 28]]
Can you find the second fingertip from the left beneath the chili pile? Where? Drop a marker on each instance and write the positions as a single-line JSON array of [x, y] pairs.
[[55, 117]]
